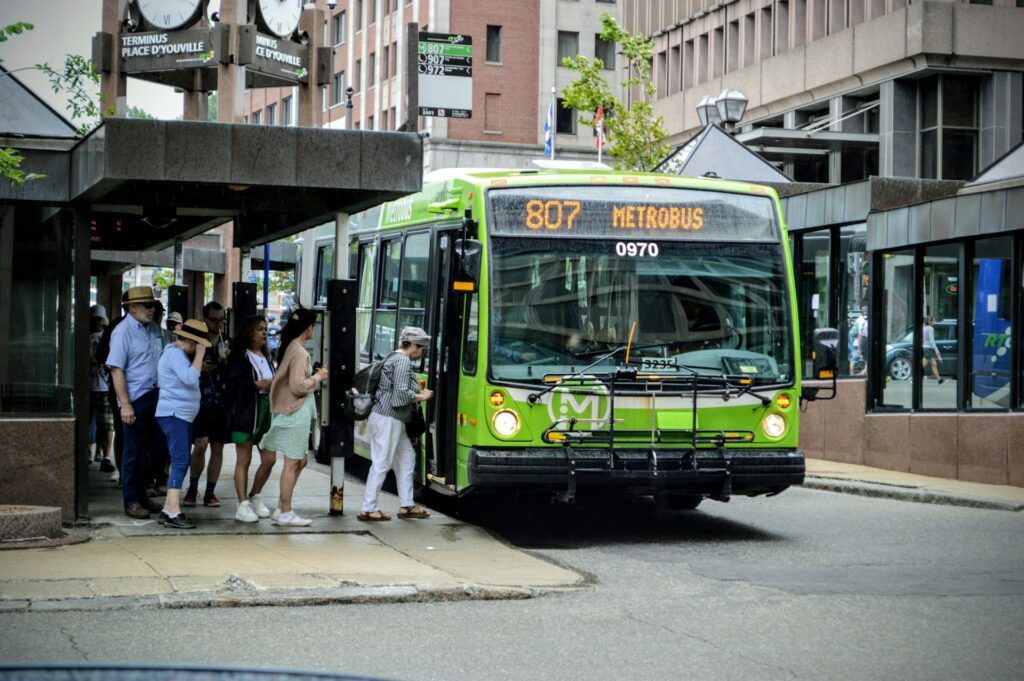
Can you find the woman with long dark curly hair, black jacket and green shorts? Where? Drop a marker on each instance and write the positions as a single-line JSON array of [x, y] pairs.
[[249, 376]]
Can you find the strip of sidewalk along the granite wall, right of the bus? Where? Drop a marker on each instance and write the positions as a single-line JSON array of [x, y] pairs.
[[868, 482]]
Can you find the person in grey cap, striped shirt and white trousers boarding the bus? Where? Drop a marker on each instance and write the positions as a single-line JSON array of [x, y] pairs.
[[398, 395]]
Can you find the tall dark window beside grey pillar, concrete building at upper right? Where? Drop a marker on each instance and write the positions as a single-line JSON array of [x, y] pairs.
[[949, 145]]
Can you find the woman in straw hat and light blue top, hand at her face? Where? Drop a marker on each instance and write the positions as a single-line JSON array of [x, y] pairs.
[[180, 399]]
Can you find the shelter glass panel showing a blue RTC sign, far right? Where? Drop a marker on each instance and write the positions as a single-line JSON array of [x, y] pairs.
[[992, 316]]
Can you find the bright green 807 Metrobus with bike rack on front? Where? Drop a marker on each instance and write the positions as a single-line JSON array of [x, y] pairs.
[[592, 329]]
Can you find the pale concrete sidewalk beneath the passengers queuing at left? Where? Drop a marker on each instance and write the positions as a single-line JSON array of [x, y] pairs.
[[139, 564]]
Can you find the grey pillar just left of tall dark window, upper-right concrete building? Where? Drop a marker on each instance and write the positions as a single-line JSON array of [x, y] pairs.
[[899, 130]]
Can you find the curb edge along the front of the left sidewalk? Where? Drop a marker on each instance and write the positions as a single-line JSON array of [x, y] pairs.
[[283, 598]]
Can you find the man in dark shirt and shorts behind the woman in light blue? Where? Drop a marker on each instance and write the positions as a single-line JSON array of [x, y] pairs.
[[210, 429]]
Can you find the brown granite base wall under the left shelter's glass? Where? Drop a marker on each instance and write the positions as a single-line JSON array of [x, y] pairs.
[[38, 463]]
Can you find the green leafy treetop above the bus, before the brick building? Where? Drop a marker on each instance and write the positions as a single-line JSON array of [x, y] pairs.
[[636, 137]]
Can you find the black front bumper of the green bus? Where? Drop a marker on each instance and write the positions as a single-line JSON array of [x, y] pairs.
[[712, 473]]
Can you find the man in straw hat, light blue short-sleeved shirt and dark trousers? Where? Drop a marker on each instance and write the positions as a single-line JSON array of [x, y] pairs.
[[133, 360]]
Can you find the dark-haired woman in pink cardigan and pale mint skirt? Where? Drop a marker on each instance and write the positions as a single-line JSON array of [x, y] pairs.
[[292, 409]]
